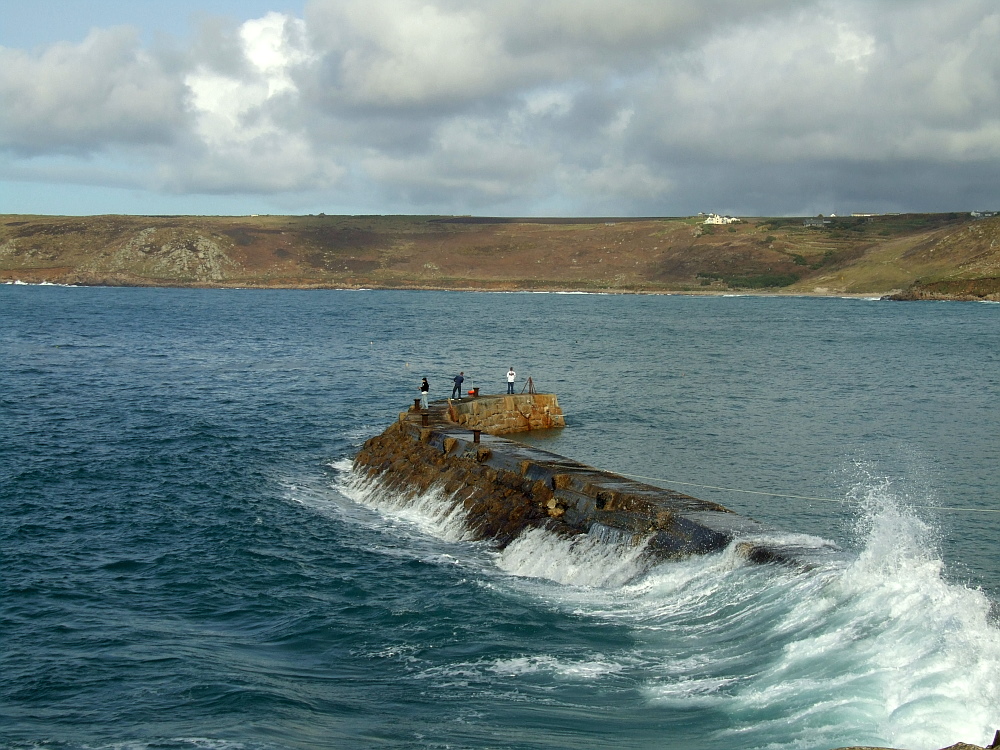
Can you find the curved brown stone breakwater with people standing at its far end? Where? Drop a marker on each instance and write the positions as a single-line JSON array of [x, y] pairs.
[[505, 487]]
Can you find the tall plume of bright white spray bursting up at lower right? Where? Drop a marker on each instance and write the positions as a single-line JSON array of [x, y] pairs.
[[932, 653]]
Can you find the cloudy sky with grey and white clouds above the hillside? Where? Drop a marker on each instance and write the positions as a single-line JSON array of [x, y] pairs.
[[499, 107]]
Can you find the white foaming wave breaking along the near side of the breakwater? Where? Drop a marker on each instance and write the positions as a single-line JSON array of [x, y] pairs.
[[874, 648]]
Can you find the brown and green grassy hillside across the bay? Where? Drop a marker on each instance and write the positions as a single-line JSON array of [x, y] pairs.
[[923, 255]]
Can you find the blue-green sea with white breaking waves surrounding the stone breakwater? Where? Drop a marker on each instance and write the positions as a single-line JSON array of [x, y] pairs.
[[188, 563]]
